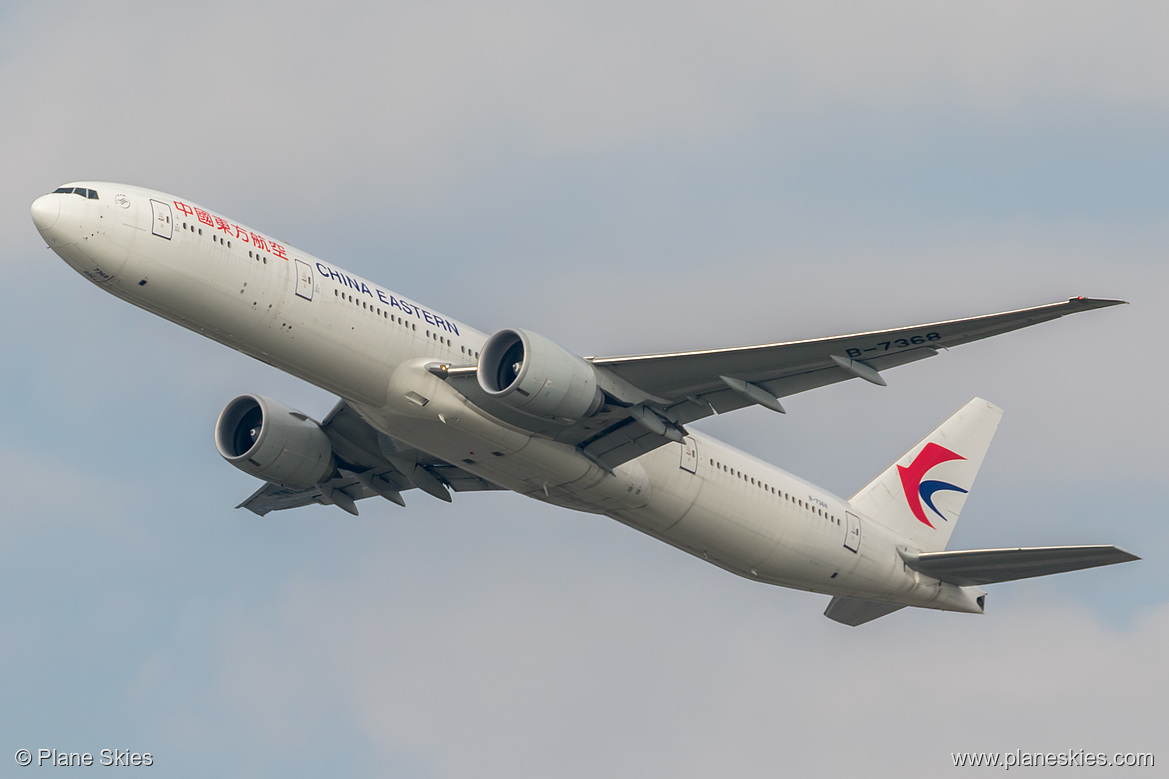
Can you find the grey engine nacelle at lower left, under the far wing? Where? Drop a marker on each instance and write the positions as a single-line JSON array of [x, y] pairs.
[[274, 443]]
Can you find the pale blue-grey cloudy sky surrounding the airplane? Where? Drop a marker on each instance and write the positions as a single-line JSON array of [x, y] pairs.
[[621, 178]]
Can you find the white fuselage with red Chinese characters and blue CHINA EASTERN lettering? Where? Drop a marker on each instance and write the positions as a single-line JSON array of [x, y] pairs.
[[372, 347]]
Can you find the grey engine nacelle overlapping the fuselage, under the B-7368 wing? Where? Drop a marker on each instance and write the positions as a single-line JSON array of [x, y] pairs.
[[536, 376]]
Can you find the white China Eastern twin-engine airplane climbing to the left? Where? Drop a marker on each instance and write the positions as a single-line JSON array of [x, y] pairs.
[[430, 403]]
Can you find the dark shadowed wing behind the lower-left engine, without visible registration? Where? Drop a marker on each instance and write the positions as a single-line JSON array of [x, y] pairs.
[[369, 464]]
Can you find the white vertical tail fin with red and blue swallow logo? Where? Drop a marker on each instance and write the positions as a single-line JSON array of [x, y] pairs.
[[922, 494]]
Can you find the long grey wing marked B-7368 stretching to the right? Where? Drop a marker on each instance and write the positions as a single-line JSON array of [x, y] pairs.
[[651, 398]]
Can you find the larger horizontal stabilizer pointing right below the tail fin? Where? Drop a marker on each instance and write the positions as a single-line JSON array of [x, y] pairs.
[[980, 567]]
